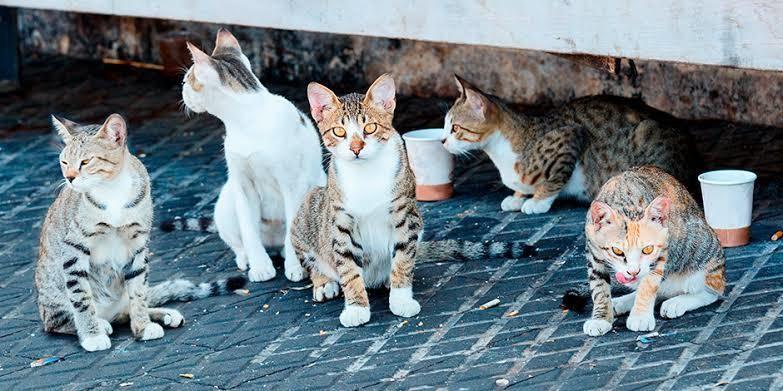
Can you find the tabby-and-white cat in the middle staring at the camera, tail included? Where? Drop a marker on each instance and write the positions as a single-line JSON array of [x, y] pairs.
[[362, 229]]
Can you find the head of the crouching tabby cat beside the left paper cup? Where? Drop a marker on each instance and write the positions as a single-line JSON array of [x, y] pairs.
[[469, 121]]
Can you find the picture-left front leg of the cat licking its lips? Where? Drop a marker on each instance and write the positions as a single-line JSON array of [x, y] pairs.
[[600, 291]]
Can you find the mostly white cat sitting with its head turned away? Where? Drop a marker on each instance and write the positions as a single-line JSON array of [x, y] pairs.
[[272, 153]]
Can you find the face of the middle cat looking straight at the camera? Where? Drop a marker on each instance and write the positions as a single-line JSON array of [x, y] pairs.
[[354, 127]]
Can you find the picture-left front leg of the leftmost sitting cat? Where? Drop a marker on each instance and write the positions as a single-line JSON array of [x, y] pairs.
[[91, 331]]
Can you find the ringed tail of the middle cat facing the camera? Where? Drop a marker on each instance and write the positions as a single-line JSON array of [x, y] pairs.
[[464, 250]]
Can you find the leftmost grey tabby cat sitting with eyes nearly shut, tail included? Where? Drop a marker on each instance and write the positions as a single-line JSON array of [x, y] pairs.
[[92, 264]]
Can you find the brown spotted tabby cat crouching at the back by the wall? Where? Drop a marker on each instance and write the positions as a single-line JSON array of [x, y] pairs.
[[568, 152]]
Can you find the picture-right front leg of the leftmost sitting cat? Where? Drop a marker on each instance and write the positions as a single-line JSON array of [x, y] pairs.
[[142, 326]]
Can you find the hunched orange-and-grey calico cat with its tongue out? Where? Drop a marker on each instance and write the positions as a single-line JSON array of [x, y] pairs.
[[645, 230]]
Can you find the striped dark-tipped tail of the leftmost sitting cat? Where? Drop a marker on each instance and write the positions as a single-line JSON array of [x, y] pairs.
[[184, 290]]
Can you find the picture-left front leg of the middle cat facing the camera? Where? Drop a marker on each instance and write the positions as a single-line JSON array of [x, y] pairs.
[[357, 304]]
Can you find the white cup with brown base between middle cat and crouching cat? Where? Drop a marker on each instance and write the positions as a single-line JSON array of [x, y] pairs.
[[431, 163]]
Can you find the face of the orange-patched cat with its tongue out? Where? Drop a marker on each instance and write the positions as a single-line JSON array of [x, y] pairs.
[[631, 247]]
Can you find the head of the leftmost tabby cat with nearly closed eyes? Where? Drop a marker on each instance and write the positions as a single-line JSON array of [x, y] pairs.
[[93, 153]]
